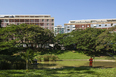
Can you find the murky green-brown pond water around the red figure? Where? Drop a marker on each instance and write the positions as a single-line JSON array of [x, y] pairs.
[[61, 64]]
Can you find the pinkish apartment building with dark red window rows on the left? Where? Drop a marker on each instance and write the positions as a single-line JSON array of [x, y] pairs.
[[45, 21]]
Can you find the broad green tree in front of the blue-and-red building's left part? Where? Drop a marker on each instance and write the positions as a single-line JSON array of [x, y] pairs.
[[84, 40]]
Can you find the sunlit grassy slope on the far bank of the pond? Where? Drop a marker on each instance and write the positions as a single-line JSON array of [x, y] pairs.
[[75, 55]]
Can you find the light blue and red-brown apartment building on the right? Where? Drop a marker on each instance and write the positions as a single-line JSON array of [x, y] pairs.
[[94, 23]]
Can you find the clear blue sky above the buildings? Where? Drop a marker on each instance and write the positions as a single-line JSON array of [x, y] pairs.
[[62, 10]]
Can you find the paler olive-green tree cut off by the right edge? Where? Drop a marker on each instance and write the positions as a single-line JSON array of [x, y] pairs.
[[106, 40]]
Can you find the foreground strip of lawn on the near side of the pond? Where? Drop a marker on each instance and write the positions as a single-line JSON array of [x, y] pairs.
[[63, 72]]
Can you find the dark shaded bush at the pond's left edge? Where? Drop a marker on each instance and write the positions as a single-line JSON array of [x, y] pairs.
[[11, 62]]
